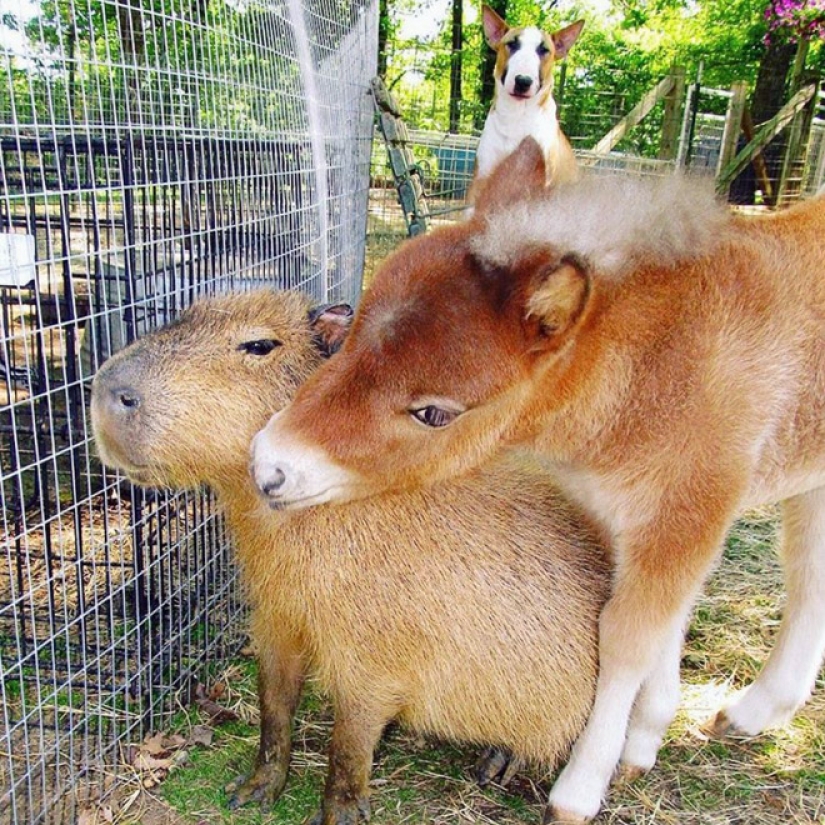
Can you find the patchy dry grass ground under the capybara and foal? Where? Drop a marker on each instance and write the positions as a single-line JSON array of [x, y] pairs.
[[775, 779]]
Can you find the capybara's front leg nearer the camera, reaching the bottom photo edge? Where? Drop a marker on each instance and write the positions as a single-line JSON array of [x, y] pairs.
[[355, 735]]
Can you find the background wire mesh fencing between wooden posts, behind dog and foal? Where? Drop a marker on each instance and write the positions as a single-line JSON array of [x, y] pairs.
[[444, 161]]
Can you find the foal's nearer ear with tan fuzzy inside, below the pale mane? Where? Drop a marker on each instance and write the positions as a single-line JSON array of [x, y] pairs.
[[557, 297]]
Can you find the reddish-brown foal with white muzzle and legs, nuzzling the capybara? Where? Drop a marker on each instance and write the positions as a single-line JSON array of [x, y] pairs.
[[668, 358]]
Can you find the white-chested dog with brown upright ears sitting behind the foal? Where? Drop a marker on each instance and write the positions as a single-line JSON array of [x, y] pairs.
[[523, 103]]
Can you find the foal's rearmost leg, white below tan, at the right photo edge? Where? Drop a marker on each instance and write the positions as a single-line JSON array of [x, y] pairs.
[[789, 674]]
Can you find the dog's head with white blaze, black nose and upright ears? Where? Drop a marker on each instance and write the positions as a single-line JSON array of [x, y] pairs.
[[524, 66]]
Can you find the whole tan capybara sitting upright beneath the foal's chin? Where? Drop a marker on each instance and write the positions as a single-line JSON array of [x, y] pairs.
[[468, 610]]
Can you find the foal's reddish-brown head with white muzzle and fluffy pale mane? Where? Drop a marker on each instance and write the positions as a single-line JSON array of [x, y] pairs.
[[458, 324]]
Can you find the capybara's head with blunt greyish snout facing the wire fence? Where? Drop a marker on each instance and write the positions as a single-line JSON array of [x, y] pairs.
[[180, 406]]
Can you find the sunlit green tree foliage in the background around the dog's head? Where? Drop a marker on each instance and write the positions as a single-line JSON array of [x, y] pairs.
[[621, 54]]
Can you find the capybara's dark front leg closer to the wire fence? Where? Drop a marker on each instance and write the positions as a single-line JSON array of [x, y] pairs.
[[280, 678]]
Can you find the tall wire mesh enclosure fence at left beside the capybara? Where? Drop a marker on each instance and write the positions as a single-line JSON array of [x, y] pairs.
[[150, 152]]
